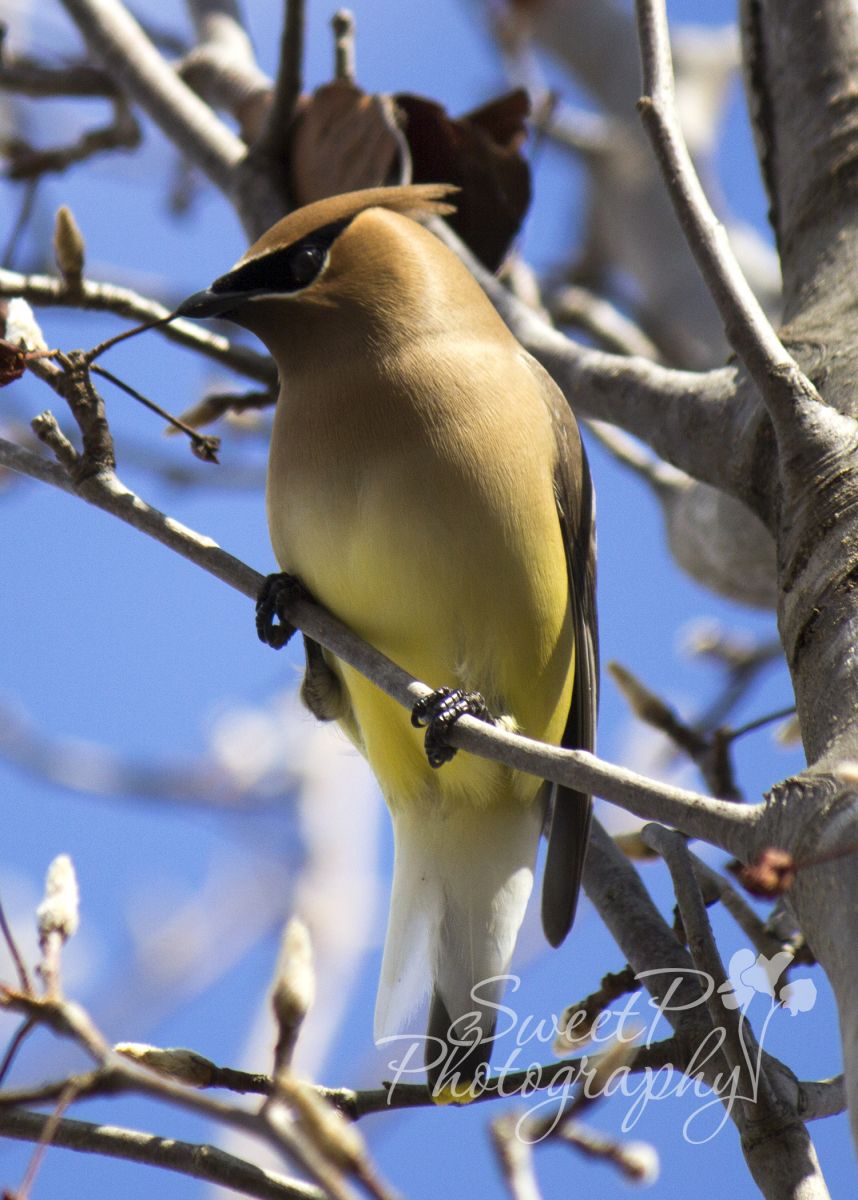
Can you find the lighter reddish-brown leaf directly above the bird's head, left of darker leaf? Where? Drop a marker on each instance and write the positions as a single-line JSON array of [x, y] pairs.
[[343, 140]]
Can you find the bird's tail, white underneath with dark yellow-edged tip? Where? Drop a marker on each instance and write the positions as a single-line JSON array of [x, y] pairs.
[[463, 879]]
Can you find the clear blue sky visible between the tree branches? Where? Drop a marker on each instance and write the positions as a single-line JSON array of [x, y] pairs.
[[115, 643]]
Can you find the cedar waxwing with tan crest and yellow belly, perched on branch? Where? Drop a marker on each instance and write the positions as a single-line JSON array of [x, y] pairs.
[[428, 485]]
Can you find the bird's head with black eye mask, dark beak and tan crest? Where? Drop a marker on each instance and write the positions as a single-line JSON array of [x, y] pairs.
[[344, 255]]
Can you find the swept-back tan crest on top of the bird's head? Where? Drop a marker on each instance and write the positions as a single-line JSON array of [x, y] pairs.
[[417, 201]]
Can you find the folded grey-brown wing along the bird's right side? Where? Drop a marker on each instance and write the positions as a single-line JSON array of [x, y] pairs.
[[569, 812]]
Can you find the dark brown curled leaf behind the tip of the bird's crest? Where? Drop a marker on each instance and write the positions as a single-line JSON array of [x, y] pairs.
[[482, 154]]
